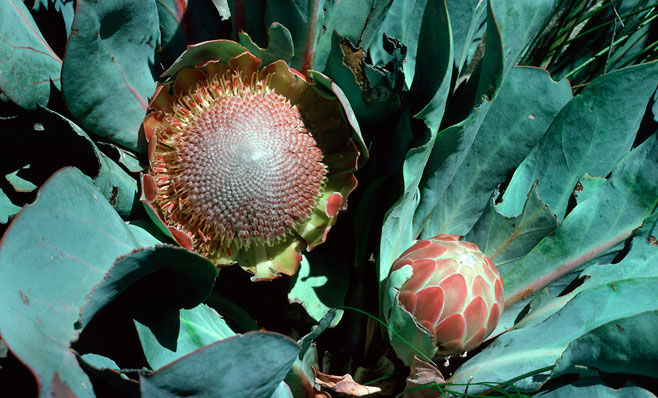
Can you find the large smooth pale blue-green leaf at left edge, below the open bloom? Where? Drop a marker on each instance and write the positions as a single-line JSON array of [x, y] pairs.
[[51, 257]]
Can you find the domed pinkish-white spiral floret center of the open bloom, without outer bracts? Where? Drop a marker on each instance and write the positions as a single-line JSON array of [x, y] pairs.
[[241, 166]]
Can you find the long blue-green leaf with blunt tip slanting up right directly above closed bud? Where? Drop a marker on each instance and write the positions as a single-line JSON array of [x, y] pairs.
[[524, 108]]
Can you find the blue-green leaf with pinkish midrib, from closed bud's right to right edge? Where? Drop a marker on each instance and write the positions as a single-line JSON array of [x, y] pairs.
[[593, 227]]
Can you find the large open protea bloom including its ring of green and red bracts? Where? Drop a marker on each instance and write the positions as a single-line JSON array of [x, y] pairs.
[[248, 163]]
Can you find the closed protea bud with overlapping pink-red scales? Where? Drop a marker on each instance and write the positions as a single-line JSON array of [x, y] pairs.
[[445, 297]]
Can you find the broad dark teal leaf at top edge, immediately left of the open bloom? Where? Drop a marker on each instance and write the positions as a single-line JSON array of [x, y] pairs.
[[106, 75]]
